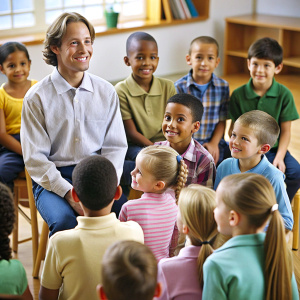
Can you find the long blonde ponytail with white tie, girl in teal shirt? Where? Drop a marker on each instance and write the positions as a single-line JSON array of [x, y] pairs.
[[253, 196]]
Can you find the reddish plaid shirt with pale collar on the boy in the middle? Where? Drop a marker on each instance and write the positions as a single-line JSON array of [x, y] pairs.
[[200, 163]]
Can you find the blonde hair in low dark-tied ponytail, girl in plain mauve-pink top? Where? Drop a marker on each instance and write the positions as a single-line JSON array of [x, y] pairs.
[[196, 205]]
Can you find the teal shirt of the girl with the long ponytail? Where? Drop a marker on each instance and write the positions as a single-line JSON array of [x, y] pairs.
[[236, 270]]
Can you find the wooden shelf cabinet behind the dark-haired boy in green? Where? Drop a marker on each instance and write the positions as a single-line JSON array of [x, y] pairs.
[[242, 31]]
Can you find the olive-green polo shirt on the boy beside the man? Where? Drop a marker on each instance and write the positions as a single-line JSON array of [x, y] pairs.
[[145, 109]]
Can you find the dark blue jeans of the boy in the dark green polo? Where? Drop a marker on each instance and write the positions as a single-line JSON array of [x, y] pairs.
[[292, 172]]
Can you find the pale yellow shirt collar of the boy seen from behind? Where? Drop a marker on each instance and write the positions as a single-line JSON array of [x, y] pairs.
[[92, 223]]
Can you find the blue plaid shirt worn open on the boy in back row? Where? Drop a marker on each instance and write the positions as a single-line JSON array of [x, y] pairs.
[[215, 102]]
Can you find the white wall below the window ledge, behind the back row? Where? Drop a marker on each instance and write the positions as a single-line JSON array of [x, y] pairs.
[[173, 43]]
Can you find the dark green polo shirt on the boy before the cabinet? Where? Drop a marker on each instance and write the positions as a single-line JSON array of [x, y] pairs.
[[278, 102]]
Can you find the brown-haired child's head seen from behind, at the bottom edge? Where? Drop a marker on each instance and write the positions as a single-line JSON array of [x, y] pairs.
[[129, 271]]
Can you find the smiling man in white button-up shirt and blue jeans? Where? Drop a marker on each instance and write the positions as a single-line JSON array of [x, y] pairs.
[[67, 116]]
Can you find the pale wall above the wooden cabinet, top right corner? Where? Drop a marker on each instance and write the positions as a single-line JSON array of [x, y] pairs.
[[290, 8]]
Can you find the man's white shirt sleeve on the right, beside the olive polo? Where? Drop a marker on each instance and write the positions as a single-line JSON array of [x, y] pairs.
[[114, 146]]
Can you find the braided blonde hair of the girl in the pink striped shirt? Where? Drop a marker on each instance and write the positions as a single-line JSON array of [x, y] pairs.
[[162, 163]]
